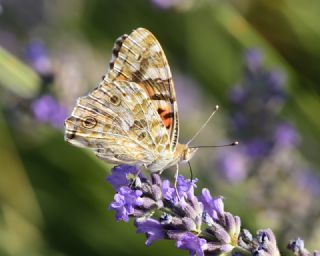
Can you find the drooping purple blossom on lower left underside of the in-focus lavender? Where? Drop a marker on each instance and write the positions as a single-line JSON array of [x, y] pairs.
[[152, 228]]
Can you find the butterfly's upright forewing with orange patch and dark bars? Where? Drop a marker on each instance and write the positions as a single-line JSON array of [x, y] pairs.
[[138, 57]]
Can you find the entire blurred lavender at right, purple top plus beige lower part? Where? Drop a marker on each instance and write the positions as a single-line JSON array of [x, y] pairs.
[[268, 160]]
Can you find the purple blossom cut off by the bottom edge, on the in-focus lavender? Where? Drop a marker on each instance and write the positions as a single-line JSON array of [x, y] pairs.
[[193, 244]]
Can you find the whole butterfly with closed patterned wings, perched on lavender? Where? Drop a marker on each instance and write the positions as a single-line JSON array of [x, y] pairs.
[[131, 117]]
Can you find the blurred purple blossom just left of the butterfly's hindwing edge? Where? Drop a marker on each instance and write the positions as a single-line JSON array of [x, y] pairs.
[[46, 109]]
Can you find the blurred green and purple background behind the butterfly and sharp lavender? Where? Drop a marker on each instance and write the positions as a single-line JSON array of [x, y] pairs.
[[258, 60]]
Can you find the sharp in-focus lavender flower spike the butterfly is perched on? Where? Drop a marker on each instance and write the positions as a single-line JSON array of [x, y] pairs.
[[198, 224]]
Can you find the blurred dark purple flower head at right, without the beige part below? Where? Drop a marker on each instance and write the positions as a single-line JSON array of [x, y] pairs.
[[255, 104]]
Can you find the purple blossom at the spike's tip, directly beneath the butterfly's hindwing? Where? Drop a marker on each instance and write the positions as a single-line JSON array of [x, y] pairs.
[[120, 174]]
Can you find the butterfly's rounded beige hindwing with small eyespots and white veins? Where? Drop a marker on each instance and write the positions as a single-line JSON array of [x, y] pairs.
[[119, 123]]
